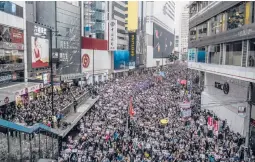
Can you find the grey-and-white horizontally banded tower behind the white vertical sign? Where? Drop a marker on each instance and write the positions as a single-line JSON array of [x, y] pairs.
[[117, 11]]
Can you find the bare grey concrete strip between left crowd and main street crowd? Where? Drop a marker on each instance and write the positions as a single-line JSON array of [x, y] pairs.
[[73, 117]]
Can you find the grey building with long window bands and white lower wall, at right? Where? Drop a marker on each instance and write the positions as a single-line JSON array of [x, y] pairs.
[[222, 47]]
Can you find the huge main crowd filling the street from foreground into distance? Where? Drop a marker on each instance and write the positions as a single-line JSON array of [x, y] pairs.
[[107, 133]]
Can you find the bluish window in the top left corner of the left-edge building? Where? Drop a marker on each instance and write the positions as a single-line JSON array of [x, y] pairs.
[[11, 8]]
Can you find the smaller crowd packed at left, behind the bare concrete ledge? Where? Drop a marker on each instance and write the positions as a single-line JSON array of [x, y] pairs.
[[39, 110]]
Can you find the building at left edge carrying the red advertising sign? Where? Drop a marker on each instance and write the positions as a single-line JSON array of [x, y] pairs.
[[13, 64]]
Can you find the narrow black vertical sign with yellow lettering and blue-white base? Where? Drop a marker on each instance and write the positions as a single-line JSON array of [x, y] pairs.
[[132, 50]]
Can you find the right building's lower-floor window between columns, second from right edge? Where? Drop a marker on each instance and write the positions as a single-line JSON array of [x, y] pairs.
[[234, 53]]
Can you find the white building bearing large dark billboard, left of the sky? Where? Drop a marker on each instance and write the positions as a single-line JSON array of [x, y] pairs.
[[159, 31]]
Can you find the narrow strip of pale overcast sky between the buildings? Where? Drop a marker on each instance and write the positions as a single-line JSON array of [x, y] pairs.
[[179, 5]]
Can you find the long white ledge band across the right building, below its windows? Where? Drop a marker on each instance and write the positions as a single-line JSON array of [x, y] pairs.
[[236, 72]]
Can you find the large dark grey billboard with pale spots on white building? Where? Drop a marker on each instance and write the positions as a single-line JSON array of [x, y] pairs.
[[163, 42]]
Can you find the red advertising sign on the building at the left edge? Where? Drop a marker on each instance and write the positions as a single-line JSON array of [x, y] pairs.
[[11, 35]]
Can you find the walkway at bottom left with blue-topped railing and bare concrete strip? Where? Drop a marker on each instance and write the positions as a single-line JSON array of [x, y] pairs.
[[22, 143]]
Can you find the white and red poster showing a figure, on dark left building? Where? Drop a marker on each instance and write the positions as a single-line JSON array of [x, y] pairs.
[[40, 52]]
